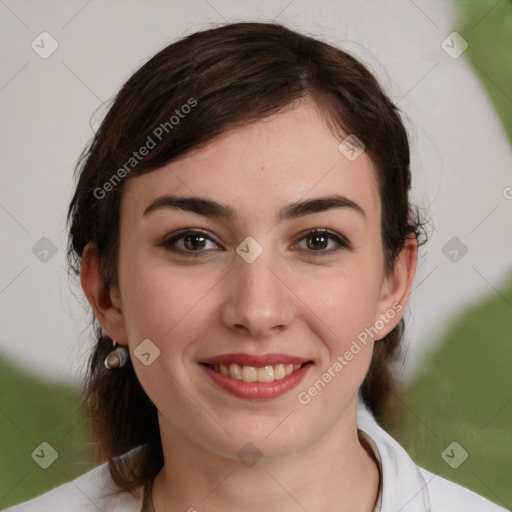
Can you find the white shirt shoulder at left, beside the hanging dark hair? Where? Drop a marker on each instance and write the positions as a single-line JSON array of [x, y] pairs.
[[90, 492]]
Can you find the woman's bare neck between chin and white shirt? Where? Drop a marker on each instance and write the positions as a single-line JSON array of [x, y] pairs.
[[336, 472]]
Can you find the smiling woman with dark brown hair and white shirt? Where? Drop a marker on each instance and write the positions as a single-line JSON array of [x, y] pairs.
[[243, 233]]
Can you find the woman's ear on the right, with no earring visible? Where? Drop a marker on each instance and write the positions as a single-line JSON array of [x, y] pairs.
[[396, 288]]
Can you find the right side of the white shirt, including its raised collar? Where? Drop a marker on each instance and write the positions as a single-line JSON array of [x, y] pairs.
[[410, 488]]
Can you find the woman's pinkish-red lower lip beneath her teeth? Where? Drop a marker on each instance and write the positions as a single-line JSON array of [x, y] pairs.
[[258, 390]]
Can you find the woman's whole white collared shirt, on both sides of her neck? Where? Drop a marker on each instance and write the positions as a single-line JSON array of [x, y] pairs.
[[405, 487]]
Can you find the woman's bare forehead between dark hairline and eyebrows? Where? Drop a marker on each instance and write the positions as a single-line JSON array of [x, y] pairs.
[[262, 166]]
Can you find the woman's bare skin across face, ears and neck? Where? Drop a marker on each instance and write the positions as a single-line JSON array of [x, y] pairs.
[[289, 300]]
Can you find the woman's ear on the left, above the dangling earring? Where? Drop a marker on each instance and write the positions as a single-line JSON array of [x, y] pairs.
[[105, 302]]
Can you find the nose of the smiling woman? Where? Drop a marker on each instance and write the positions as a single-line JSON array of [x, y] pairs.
[[259, 302]]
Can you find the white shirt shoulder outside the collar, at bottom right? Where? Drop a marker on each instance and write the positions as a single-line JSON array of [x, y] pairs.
[[446, 496]]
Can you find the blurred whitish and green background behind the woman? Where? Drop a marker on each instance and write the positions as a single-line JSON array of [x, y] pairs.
[[61, 61]]
